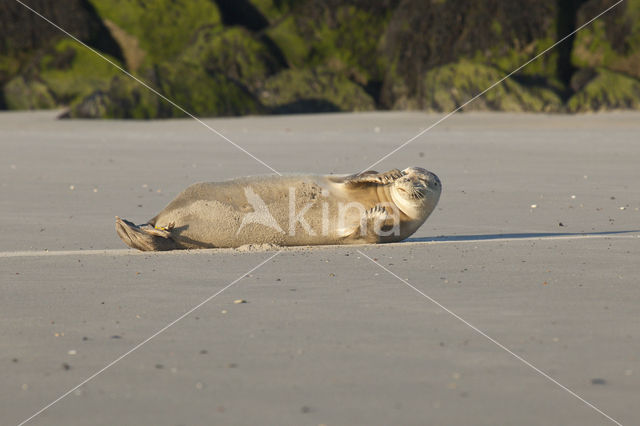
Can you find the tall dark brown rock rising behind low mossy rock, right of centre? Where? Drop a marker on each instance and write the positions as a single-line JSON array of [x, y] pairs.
[[425, 34]]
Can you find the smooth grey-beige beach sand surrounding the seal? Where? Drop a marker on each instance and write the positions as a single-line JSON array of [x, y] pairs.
[[535, 242]]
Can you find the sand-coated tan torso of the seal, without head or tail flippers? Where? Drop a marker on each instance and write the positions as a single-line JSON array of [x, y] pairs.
[[278, 210]]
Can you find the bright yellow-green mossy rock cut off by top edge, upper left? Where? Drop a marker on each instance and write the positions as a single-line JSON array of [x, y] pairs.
[[162, 27]]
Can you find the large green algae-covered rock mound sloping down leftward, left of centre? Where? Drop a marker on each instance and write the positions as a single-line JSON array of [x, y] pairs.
[[216, 75]]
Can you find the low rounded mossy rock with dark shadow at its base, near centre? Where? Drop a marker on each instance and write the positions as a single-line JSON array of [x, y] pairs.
[[319, 90]]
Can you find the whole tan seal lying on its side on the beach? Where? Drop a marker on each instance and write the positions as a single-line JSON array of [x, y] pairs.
[[291, 210]]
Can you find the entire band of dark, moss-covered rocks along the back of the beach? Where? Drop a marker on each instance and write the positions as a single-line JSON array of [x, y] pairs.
[[224, 57]]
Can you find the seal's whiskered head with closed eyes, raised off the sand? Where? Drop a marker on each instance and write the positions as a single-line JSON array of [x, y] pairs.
[[417, 192]]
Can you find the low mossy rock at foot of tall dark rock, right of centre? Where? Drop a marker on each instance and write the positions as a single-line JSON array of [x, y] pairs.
[[449, 86]]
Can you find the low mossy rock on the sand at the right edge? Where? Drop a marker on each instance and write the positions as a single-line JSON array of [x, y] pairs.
[[605, 90]]
